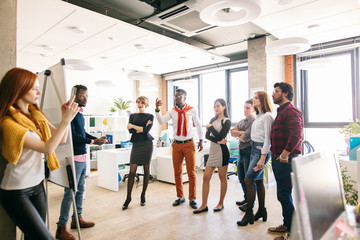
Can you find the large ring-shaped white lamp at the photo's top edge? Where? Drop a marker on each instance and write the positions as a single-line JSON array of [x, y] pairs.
[[229, 12]]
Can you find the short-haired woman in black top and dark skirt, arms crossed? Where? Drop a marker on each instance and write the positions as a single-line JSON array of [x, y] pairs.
[[139, 125]]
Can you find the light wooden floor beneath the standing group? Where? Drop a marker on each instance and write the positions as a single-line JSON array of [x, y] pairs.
[[159, 219]]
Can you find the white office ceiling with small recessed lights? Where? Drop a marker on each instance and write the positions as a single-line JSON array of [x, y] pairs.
[[45, 34]]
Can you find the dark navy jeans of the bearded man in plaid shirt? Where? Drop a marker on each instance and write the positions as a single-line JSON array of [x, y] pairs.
[[284, 188]]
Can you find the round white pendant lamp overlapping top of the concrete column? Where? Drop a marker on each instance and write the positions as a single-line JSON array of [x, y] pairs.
[[288, 46]]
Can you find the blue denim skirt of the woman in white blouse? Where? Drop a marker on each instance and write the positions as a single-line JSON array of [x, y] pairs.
[[254, 158]]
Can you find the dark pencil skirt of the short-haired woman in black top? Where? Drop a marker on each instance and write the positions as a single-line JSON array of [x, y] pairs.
[[141, 152]]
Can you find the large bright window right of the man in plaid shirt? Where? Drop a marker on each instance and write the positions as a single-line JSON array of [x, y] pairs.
[[330, 92]]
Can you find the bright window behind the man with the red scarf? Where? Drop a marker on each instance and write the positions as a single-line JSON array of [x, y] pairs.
[[231, 85]]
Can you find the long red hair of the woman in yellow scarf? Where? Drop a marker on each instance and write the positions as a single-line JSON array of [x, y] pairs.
[[16, 83]]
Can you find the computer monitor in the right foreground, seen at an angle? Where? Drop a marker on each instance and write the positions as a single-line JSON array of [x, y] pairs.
[[319, 196]]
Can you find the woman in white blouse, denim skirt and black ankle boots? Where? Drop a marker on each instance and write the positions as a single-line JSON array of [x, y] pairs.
[[260, 155]]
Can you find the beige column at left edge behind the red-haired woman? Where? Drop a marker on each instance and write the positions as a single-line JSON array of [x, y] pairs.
[[7, 61]]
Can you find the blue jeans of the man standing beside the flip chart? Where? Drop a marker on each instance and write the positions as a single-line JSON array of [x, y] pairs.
[[80, 171]]
